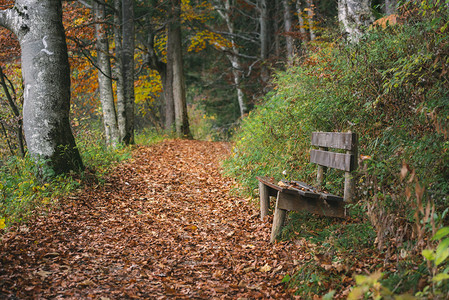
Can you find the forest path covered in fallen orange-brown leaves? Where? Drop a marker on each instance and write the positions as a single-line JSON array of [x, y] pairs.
[[162, 226]]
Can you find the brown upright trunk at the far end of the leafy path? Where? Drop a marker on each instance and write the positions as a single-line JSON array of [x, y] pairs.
[[179, 93]]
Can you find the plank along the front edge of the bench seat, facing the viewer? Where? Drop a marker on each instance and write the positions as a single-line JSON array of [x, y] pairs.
[[315, 206]]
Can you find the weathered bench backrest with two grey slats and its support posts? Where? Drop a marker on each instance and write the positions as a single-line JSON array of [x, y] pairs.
[[343, 161]]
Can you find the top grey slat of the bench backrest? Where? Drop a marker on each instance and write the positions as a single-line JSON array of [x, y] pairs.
[[338, 140]]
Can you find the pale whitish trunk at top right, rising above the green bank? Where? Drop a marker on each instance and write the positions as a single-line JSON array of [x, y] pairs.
[[355, 16]]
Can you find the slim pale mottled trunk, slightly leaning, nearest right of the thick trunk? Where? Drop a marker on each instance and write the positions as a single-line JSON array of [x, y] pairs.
[[105, 77]]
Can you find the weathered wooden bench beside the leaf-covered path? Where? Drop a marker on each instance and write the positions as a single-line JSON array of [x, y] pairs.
[[296, 195]]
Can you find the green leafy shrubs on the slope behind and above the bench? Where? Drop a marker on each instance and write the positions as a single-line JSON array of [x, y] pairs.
[[390, 88]]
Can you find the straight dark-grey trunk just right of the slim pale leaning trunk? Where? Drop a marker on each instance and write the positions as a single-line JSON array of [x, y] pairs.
[[127, 131]]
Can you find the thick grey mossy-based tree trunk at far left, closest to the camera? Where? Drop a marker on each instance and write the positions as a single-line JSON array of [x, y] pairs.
[[46, 79]]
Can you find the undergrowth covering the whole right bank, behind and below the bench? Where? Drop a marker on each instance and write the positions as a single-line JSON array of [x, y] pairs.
[[392, 89]]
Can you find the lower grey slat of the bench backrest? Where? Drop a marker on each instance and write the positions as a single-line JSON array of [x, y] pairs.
[[334, 160]]
